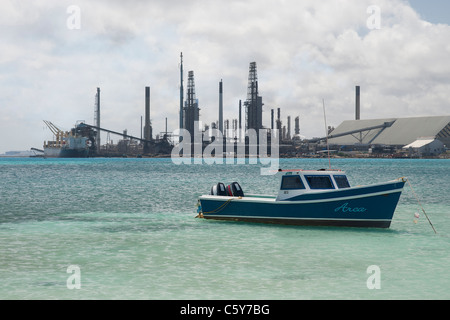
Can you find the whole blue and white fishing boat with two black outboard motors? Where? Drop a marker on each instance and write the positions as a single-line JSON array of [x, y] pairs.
[[307, 197]]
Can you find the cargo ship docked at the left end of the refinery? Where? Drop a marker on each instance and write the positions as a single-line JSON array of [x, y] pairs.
[[79, 142]]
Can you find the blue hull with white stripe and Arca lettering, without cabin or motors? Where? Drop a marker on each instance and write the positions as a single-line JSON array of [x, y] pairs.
[[371, 206]]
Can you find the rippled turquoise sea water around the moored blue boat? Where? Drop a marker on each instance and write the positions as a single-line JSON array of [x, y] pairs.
[[129, 226]]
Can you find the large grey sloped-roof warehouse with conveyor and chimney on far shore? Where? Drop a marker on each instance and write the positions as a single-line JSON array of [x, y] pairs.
[[428, 136]]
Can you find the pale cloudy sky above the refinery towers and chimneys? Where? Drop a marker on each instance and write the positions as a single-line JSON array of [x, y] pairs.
[[55, 53]]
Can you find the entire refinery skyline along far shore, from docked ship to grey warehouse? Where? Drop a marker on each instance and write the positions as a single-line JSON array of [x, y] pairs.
[[407, 137]]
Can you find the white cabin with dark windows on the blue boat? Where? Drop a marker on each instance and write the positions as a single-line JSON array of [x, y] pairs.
[[298, 182]]
